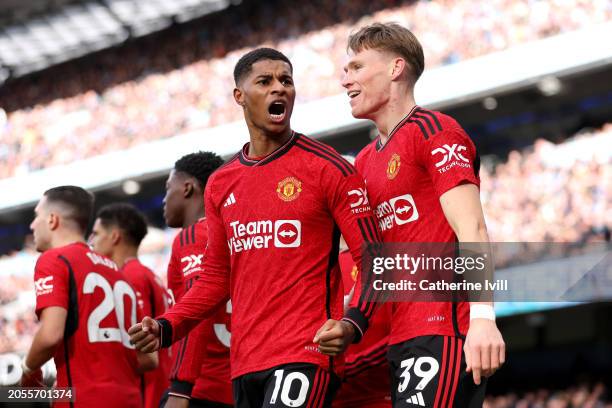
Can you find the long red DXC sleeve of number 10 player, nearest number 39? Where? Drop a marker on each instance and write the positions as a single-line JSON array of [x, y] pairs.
[[348, 202]]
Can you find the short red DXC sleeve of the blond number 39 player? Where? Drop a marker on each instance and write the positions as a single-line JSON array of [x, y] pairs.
[[450, 158]]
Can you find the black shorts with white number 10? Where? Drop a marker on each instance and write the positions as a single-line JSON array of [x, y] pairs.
[[291, 385]]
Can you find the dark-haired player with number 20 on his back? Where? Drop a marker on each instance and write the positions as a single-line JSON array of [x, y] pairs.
[[80, 301]]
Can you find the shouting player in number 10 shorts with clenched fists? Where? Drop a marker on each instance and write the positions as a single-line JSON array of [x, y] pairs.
[[275, 212]]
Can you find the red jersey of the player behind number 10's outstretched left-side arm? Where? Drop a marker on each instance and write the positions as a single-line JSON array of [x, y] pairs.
[[201, 366]]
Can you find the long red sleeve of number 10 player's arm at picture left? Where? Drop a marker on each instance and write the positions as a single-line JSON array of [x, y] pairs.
[[211, 290]]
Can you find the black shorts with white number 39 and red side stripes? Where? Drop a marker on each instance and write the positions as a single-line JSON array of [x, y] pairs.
[[429, 371]]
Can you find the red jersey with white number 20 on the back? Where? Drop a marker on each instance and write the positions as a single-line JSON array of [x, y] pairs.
[[95, 356]]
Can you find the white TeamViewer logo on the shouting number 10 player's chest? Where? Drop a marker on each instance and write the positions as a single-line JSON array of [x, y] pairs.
[[263, 234]]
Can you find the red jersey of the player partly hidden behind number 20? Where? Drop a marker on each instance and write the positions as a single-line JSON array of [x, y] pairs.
[[152, 301]]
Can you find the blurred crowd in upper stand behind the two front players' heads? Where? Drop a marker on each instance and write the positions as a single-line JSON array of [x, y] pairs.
[[179, 81]]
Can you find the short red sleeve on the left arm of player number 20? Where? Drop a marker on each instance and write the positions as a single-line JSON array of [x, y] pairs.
[[51, 282]]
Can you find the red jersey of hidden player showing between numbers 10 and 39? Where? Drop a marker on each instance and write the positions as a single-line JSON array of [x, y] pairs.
[[366, 381]]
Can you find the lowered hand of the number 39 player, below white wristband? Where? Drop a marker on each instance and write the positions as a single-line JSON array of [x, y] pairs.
[[485, 350]]
